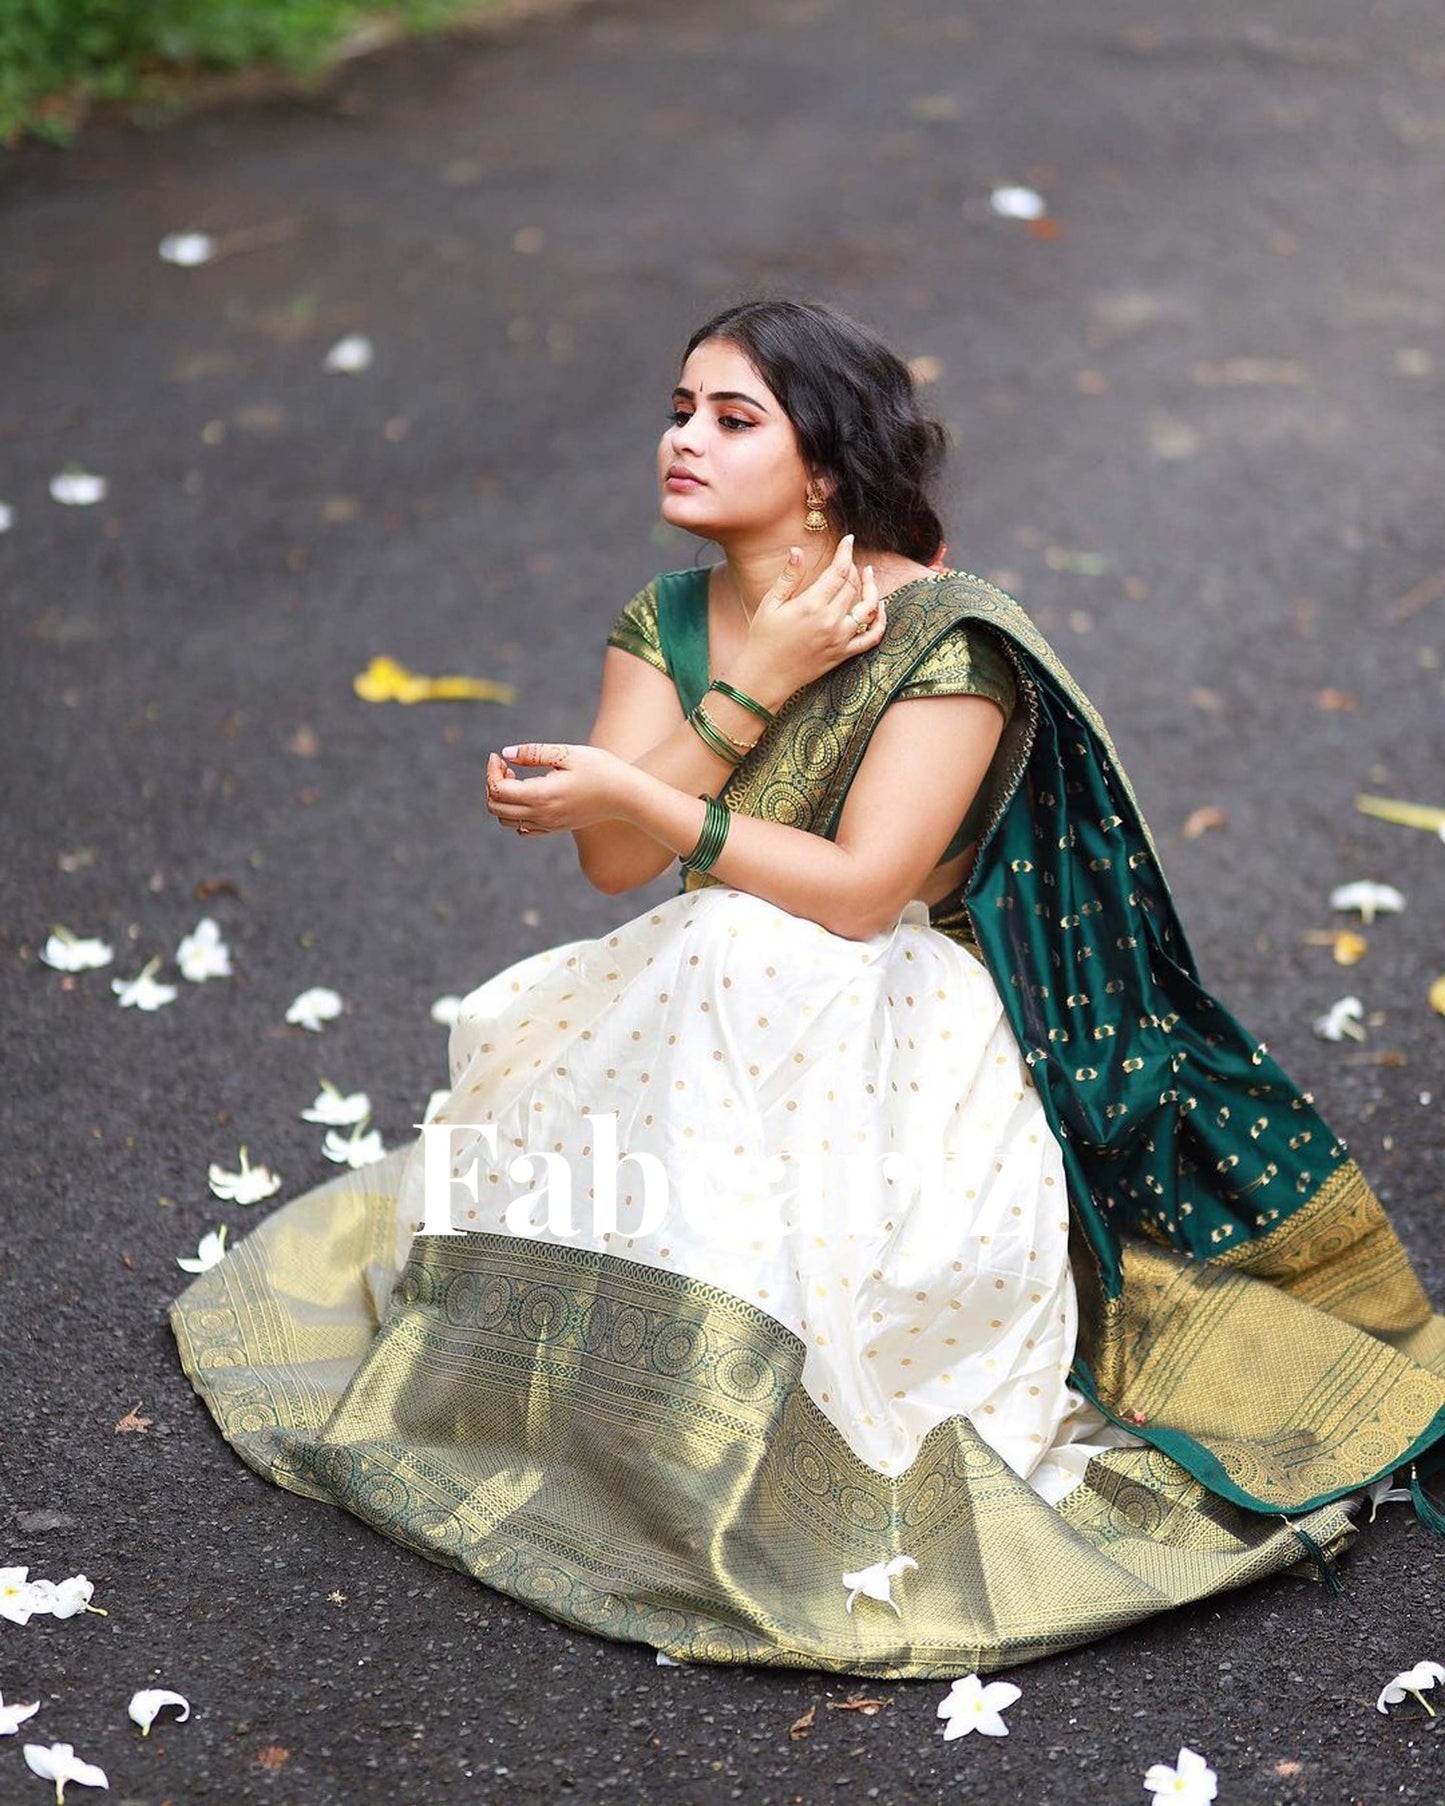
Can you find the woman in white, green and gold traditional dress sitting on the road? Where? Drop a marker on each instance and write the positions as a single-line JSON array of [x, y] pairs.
[[978, 1285]]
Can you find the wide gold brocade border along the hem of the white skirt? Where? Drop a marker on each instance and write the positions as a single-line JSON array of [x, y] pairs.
[[633, 1451]]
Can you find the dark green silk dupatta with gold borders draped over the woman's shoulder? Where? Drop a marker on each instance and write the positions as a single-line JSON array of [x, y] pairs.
[[1245, 1305]]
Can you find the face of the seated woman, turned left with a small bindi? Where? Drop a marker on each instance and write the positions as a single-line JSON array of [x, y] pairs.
[[731, 434]]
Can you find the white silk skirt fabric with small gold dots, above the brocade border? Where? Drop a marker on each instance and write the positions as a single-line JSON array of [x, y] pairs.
[[841, 1133]]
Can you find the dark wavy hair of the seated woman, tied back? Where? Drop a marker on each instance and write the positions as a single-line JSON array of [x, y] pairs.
[[857, 416]]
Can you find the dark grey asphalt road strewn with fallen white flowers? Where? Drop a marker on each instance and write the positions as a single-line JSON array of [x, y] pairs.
[[1198, 434]]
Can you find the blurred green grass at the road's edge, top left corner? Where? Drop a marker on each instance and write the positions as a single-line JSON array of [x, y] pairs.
[[61, 57]]
